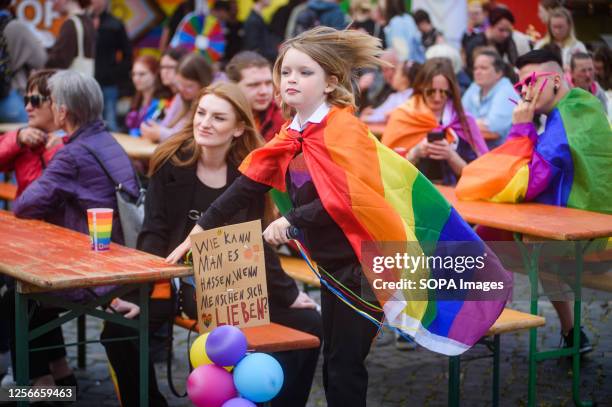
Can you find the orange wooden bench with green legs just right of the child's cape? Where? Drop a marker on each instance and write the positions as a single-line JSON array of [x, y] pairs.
[[509, 321]]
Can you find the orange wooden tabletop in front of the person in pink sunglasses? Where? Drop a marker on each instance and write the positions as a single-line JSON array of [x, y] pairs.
[[543, 221]]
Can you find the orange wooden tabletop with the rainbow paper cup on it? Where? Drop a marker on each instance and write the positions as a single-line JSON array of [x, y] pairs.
[[50, 257]]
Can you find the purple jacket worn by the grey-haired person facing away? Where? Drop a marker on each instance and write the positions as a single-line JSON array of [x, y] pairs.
[[74, 182]]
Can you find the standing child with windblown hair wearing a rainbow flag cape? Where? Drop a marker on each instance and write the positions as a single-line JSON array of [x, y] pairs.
[[347, 190]]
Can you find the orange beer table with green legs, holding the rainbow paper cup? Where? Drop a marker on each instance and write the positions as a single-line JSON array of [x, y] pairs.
[[44, 258]]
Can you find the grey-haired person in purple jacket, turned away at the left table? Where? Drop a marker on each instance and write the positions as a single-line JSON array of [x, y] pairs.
[[75, 180]]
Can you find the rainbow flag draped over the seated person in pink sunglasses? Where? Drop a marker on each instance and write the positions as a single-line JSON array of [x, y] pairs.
[[567, 165]]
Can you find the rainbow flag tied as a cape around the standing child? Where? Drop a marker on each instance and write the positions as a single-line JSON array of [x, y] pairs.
[[375, 196]]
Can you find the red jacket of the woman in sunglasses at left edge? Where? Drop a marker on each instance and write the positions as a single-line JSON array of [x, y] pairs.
[[28, 164]]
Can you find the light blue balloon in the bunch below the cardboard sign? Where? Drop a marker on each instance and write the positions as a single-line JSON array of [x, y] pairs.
[[258, 377]]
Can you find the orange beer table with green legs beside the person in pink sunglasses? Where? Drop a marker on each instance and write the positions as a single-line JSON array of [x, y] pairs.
[[543, 222]]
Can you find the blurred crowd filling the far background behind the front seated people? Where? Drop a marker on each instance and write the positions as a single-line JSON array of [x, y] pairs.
[[94, 41]]
